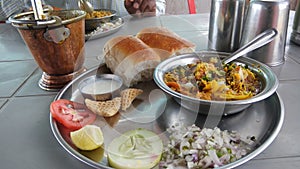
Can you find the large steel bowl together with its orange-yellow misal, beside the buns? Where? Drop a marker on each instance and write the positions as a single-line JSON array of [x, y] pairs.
[[201, 83]]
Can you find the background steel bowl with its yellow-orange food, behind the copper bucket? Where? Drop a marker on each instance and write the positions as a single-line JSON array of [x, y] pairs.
[[98, 18]]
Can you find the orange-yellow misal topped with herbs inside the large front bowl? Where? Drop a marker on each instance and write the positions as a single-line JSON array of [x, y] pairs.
[[206, 80]]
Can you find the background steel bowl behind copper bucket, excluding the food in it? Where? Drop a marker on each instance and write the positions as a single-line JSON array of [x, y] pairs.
[[92, 23]]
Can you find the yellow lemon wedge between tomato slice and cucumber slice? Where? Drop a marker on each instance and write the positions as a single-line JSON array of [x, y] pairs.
[[89, 137]]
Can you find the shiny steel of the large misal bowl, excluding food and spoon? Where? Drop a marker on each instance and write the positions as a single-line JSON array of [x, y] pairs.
[[267, 77]]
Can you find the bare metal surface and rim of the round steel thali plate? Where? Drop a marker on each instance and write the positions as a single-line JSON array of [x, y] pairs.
[[154, 110]]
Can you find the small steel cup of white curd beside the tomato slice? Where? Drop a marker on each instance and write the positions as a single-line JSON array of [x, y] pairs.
[[101, 87]]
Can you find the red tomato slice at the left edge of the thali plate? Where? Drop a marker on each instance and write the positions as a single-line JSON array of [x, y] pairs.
[[71, 114]]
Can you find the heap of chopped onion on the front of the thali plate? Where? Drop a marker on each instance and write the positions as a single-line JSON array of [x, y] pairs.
[[192, 147]]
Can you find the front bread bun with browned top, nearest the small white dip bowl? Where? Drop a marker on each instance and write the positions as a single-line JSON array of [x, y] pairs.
[[131, 59]]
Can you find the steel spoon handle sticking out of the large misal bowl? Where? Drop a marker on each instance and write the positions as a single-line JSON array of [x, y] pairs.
[[260, 40]]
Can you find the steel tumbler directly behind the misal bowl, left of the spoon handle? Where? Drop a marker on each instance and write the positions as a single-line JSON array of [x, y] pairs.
[[225, 24]]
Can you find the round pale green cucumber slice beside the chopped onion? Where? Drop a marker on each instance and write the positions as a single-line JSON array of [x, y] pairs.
[[135, 149]]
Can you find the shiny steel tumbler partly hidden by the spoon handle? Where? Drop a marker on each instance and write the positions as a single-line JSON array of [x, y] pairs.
[[263, 15]]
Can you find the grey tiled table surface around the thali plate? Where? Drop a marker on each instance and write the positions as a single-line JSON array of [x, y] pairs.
[[26, 140]]
